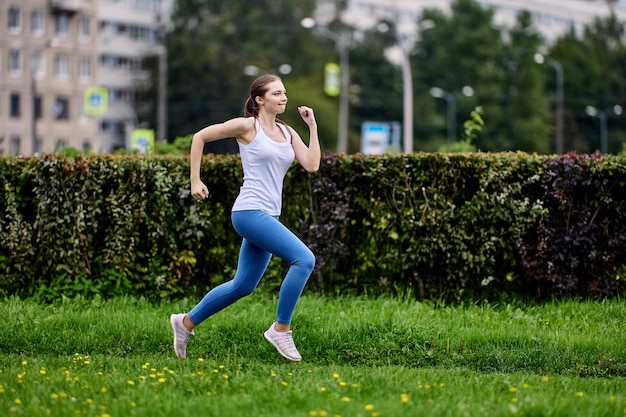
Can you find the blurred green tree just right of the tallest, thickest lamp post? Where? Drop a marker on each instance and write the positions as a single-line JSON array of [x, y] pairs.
[[453, 52]]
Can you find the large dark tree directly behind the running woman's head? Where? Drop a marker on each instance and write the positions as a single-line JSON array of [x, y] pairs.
[[210, 44]]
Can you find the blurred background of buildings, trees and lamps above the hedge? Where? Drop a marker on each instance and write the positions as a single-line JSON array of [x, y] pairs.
[[548, 76]]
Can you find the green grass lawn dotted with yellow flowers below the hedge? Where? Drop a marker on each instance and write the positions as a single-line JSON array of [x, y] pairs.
[[362, 357]]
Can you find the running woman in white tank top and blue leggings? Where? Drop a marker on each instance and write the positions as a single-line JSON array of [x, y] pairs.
[[267, 147]]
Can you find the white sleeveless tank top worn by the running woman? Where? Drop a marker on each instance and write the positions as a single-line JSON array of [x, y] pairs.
[[265, 163]]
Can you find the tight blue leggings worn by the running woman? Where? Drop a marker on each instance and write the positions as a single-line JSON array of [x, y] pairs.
[[263, 235]]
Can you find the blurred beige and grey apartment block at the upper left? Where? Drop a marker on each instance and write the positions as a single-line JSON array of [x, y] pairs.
[[54, 54]]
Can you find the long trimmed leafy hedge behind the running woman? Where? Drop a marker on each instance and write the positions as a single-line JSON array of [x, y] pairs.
[[437, 226]]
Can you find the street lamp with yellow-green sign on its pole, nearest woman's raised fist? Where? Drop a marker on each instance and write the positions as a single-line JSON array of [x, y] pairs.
[[341, 40]]
